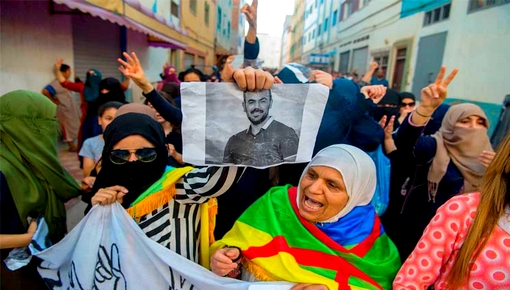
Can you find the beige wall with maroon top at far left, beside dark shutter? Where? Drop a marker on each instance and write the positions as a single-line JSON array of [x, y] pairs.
[[27, 48]]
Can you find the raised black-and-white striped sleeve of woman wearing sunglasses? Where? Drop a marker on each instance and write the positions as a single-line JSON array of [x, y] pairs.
[[200, 184]]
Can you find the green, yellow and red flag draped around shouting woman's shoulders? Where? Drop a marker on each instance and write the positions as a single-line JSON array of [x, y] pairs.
[[279, 245]]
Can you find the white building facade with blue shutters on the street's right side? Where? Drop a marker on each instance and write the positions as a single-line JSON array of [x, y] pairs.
[[412, 39]]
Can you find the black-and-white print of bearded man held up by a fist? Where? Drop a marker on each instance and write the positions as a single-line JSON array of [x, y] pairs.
[[224, 125]]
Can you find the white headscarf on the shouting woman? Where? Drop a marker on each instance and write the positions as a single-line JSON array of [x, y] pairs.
[[357, 170]]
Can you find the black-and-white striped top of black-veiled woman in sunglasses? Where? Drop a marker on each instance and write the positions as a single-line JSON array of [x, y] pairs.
[[176, 225]]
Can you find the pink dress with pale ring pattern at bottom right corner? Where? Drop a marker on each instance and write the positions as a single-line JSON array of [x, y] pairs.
[[432, 259]]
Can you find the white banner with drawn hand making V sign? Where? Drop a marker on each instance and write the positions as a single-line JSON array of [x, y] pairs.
[[107, 250]]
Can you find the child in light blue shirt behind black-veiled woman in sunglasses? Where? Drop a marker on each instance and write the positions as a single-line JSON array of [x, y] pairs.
[[92, 147]]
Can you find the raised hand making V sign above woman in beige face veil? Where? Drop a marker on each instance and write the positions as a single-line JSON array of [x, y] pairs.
[[433, 95]]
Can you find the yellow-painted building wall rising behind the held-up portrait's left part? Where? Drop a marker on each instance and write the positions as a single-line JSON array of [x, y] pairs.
[[200, 39]]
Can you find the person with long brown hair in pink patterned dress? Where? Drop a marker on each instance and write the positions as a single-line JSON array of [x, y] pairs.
[[467, 243]]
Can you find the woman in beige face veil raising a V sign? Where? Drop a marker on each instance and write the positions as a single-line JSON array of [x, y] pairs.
[[451, 162]]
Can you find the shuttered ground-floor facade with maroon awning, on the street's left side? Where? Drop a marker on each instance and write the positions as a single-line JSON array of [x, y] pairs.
[[76, 32]]
